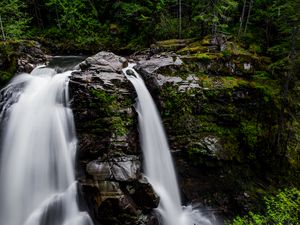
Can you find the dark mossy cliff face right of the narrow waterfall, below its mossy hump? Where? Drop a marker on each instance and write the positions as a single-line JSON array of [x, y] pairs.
[[222, 129]]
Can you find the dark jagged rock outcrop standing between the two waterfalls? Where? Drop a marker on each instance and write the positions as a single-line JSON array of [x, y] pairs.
[[109, 170]]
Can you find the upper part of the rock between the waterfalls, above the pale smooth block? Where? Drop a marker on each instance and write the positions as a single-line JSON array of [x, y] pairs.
[[102, 105]]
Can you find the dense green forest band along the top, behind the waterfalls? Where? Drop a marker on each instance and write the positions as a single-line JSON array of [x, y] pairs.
[[263, 25]]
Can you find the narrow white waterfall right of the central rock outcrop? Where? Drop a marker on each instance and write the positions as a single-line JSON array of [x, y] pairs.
[[159, 167]]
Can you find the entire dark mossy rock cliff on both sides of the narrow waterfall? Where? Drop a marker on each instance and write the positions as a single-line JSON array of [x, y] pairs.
[[221, 113]]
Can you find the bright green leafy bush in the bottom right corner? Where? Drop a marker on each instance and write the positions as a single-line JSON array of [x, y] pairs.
[[280, 210]]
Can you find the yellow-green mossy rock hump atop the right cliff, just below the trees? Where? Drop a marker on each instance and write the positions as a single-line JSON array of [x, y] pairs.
[[219, 56]]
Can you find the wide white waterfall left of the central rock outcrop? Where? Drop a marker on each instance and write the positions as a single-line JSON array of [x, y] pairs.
[[37, 182]]
